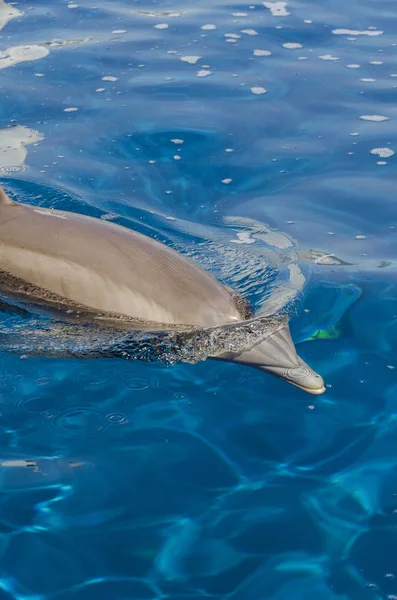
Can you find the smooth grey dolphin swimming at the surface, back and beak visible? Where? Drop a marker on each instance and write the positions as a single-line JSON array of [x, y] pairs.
[[75, 260]]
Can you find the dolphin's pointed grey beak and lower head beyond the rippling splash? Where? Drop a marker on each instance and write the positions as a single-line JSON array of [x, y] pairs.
[[276, 354]]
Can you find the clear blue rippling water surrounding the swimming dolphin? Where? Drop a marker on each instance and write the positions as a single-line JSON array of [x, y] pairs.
[[135, 480]]
